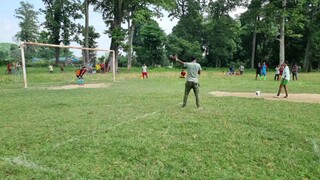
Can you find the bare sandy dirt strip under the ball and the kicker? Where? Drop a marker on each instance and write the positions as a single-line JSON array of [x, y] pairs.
[[307, 98]]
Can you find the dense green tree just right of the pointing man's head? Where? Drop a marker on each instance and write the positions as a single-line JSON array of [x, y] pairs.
[[222, 32]]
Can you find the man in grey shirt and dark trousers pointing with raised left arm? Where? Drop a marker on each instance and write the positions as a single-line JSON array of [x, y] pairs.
[[193, 70]]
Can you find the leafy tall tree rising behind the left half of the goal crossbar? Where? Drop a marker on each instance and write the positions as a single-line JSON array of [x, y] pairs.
[[60, 18]]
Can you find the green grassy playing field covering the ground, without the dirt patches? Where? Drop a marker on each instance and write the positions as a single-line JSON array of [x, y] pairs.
[[136, 129]]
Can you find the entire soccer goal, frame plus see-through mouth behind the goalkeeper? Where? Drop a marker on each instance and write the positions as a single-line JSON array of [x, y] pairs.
[[49, 63]]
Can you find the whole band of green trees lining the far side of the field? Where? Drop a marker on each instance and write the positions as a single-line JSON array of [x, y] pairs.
[[268, 31]]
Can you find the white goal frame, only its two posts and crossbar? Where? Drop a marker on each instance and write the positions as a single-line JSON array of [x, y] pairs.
[[61, 46]]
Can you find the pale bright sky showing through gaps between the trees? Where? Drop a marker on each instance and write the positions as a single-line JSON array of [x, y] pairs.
[[10, 24]]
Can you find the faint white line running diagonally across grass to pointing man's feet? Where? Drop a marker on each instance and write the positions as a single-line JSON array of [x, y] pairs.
[[109, 128]]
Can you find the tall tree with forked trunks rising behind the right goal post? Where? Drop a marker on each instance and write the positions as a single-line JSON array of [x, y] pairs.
[[116, 12]]
